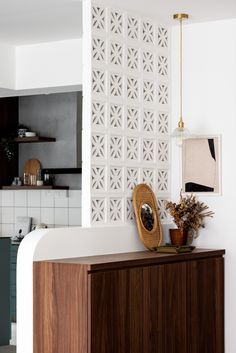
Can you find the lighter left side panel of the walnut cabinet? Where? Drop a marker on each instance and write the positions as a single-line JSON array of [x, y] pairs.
[[60, 308]]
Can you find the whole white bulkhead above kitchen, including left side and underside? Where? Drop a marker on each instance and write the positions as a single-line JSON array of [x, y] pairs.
[[52, 66]]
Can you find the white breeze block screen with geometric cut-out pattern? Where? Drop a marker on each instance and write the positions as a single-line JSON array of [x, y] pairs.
[[130, 112]]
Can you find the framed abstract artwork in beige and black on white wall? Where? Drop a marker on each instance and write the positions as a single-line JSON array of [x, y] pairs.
[[201, 165]]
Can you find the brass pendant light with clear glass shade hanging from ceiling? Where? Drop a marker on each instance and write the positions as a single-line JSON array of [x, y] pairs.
[[180, 133]]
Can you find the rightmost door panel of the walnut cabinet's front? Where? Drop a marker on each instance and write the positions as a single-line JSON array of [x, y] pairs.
[[205, 305]]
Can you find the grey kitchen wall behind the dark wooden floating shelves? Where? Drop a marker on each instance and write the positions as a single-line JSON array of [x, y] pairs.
[[55, 115]]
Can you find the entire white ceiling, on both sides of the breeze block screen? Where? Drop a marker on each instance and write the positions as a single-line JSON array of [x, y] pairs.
[[34, 21]]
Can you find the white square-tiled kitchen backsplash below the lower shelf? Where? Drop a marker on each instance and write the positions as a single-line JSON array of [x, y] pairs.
[[56, 208]]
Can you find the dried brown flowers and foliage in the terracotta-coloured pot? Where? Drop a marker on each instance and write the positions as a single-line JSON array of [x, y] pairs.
[[189, 213]]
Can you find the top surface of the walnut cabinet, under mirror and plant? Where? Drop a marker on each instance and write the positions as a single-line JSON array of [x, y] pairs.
[[102, 262]]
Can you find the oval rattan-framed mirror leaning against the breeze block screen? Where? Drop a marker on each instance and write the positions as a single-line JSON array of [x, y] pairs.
[[147, 217]]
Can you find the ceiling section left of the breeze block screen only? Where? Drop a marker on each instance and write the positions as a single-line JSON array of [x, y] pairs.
[[34, 21]]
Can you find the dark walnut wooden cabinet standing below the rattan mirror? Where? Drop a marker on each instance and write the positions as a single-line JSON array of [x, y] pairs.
[[130, 303]]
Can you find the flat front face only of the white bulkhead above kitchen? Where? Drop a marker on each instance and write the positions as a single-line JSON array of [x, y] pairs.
[[49, 64]]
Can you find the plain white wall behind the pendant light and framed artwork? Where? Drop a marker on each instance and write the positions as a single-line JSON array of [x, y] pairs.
[[210, 108]]
